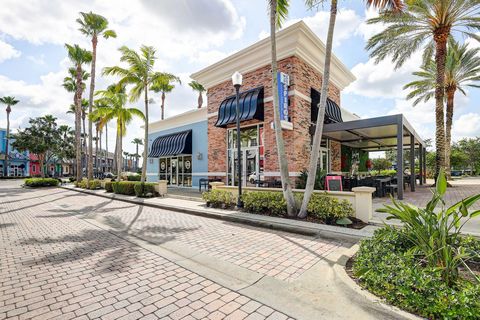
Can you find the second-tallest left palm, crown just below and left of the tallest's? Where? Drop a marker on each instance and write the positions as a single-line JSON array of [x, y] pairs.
[[79, 57]]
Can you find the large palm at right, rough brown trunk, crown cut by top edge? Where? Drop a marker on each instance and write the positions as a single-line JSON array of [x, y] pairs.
[[427, 25]]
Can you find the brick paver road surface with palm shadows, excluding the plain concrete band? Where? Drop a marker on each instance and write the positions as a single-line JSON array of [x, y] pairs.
[[56, 264]]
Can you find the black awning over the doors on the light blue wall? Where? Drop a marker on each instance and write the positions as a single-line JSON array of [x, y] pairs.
[[172, 144]]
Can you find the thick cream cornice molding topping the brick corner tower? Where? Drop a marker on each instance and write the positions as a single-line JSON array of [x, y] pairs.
[[295, 40]]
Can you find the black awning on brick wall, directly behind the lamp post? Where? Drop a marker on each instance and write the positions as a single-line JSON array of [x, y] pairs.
[[251, 107]]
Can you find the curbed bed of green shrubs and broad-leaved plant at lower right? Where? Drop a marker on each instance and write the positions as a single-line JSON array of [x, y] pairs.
[[427, 267]]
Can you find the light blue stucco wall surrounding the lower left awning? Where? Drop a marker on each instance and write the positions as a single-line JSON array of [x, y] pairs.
[[199, 145]]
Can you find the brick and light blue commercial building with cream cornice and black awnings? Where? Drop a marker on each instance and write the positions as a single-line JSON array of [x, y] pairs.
[[206, 138]]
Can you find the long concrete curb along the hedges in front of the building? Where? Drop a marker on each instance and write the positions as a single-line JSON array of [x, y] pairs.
[[293, 226]]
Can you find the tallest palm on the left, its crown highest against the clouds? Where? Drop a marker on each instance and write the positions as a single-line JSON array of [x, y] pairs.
[[93, 25]]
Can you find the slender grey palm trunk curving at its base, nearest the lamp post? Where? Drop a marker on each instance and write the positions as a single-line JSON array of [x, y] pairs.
[[282, 159]]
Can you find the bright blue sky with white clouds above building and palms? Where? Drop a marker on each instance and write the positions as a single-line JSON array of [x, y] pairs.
[[189, 35]]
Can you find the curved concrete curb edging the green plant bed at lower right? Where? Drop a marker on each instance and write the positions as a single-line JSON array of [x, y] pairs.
[[339, 269]]
